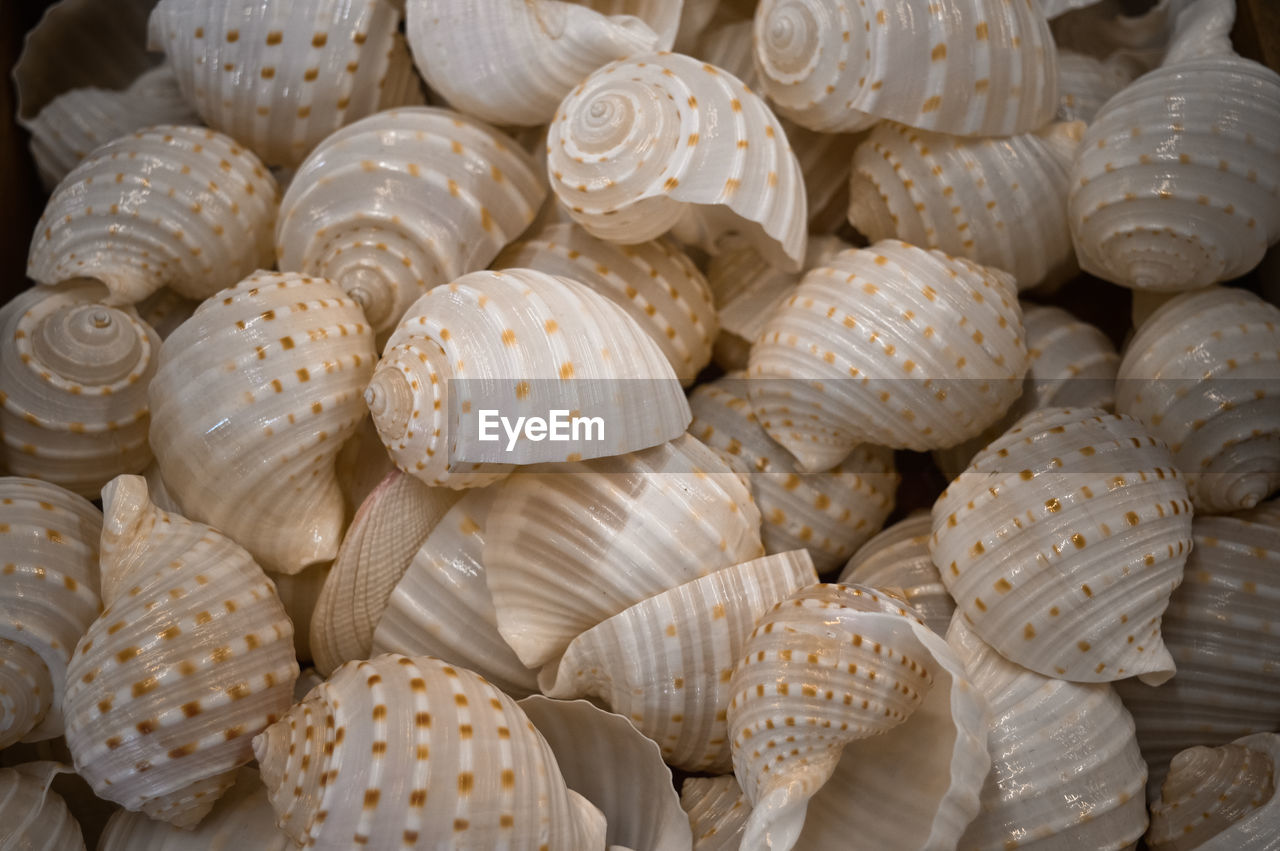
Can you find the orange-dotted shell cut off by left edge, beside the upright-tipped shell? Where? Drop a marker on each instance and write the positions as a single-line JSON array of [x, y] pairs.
[[48, 600]]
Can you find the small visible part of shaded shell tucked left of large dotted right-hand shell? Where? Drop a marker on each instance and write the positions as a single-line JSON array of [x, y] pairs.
[[898, 560]]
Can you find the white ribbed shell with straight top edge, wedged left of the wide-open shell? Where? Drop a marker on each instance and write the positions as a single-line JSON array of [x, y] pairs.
[[666, 662]]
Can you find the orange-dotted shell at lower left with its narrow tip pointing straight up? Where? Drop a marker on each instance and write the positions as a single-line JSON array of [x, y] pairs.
[[193, 656]]
